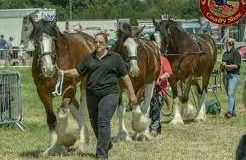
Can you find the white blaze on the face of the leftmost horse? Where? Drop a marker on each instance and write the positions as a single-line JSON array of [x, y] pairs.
[[46, 52]]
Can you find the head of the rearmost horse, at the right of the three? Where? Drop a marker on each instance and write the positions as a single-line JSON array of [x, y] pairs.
[[163, 33]]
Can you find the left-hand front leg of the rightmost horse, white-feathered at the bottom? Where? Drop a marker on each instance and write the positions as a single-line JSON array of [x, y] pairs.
[[177, 117]]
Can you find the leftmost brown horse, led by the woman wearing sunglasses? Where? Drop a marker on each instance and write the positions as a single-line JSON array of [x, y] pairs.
[[55, 50]]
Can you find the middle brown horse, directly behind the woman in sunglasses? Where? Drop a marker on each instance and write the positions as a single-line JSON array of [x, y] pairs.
[[142, 59]]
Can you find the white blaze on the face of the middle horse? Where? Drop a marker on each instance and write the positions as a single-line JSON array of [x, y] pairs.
[[132, 47]]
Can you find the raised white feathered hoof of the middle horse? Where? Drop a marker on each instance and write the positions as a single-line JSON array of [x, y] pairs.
[[140, 122]]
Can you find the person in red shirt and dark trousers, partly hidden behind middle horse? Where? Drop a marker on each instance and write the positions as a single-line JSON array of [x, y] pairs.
[[158, 96]]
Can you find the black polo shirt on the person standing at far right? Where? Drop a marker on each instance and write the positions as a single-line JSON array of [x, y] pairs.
[[232, 57]]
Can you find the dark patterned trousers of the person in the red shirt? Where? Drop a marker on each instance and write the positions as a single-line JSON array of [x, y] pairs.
[[155, 109]]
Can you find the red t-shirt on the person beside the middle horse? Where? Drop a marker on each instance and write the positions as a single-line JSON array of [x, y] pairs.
[[165, 67]]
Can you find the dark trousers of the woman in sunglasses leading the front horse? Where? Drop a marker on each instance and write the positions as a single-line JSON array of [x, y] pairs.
[[101, 110]]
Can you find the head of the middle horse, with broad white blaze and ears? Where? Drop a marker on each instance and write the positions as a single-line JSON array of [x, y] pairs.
[[130, 39]]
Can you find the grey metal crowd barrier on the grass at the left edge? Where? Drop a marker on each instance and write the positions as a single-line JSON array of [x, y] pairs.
[[10, 98]]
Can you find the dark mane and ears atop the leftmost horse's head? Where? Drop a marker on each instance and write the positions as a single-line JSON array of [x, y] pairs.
[[46, 27]]
